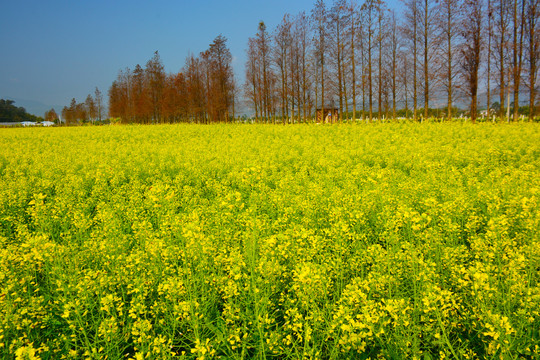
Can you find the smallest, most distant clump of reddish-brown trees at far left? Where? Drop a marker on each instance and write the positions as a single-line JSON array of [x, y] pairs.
[[91, 110]]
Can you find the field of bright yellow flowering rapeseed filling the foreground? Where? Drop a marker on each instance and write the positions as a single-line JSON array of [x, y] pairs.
[[288, 242]]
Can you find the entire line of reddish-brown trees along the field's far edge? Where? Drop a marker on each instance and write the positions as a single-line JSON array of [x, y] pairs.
[[361, 57]]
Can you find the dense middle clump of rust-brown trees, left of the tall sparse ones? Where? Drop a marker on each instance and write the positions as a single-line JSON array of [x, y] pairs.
[[203, 91]]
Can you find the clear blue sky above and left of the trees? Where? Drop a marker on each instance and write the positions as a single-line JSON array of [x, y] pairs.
[[52, 51]]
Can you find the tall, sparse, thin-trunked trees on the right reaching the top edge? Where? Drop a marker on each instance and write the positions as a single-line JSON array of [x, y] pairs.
[[372, 63]]
